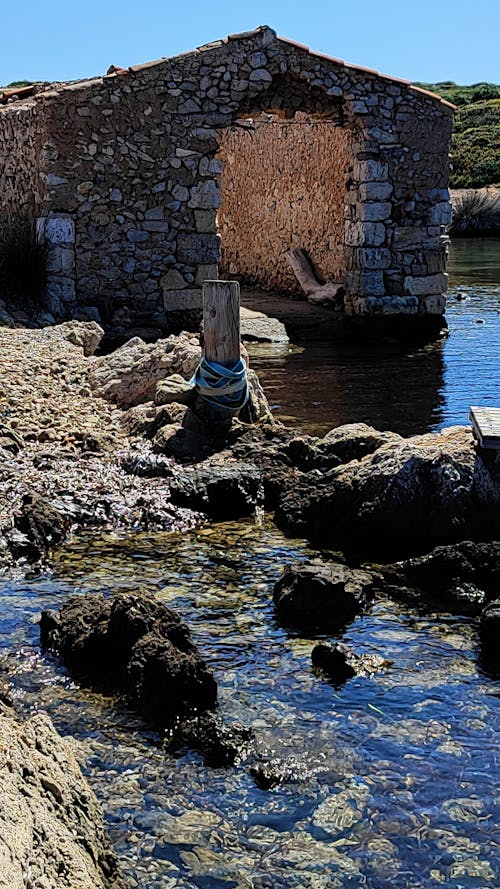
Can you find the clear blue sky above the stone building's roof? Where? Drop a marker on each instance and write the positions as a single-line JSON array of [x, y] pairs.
[[428, 40]]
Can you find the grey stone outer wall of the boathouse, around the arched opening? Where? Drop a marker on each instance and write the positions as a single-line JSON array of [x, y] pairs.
[[133, 177]]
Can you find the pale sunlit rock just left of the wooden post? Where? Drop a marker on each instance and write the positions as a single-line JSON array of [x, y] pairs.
[[131, 374]]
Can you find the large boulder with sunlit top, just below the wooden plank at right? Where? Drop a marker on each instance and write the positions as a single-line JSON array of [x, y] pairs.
[[406, 497]]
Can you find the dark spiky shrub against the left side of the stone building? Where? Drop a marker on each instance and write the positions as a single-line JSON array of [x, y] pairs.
[[23, 262]]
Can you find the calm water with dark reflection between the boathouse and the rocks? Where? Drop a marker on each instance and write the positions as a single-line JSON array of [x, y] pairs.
[[408, 391]]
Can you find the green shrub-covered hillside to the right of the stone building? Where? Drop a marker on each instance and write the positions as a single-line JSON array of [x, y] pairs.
[[476, 138]]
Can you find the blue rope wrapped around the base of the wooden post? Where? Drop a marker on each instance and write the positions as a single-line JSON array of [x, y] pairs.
[[225, 388]]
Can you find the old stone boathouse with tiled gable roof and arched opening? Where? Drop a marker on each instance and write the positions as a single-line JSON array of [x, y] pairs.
[[151, 179]]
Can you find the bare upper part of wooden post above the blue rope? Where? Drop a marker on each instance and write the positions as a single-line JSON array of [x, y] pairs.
[[221, 321]]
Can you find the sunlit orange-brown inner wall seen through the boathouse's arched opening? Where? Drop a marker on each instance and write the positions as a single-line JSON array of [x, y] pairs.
[[283, 185]]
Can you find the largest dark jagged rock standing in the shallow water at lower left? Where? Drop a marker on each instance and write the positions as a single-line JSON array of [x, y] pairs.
[[134, 645]]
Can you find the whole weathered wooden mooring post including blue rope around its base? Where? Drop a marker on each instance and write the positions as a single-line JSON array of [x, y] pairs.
[[221, 379]]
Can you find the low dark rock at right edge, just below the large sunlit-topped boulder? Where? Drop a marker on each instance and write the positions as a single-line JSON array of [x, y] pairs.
[[462, 576]]
